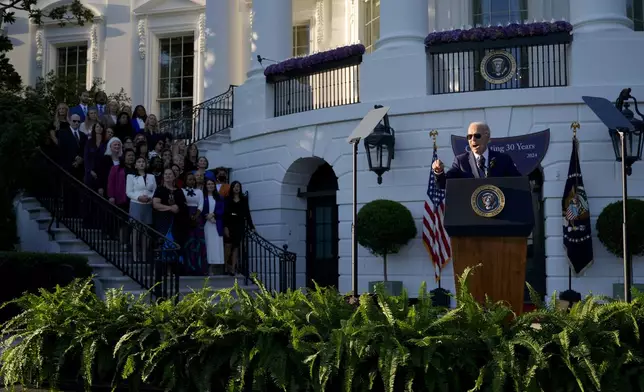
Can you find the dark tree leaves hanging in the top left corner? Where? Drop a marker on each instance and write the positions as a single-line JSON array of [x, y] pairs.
[[74, 12]]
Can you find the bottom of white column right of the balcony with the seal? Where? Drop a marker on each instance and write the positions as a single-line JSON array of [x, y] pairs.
[[599, 15]]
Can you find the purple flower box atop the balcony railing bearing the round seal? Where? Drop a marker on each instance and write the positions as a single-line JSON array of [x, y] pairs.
[[494, 37]]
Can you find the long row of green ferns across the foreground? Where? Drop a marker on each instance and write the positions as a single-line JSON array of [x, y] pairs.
[[315, 341]]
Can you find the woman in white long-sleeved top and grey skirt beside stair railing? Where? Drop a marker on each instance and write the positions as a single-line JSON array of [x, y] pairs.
[[140, 188]]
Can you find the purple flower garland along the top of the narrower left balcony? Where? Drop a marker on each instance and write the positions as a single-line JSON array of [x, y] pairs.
[[314, 60]]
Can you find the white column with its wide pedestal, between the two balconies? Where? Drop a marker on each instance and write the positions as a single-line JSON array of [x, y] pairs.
[[398, 66]]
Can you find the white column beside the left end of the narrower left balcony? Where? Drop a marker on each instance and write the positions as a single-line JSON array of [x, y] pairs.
[[272, 34]]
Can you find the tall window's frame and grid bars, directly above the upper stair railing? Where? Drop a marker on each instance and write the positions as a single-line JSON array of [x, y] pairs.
[[160, 102]]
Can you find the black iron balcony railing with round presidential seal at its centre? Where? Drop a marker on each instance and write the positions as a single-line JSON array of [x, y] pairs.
[[500, 65]]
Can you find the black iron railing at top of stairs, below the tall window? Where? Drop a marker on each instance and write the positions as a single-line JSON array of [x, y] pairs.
[[201, 121]]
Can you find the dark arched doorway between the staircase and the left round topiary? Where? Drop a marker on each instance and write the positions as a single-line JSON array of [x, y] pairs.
[[322, 228]]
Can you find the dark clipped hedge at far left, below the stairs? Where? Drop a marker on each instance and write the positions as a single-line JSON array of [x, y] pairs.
[[27, 272]]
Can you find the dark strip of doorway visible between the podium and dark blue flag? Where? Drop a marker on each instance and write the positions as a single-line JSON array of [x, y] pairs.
[[536, 260]]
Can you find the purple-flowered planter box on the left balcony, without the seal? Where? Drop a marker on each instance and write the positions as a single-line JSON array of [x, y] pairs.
[[319, 62]]
